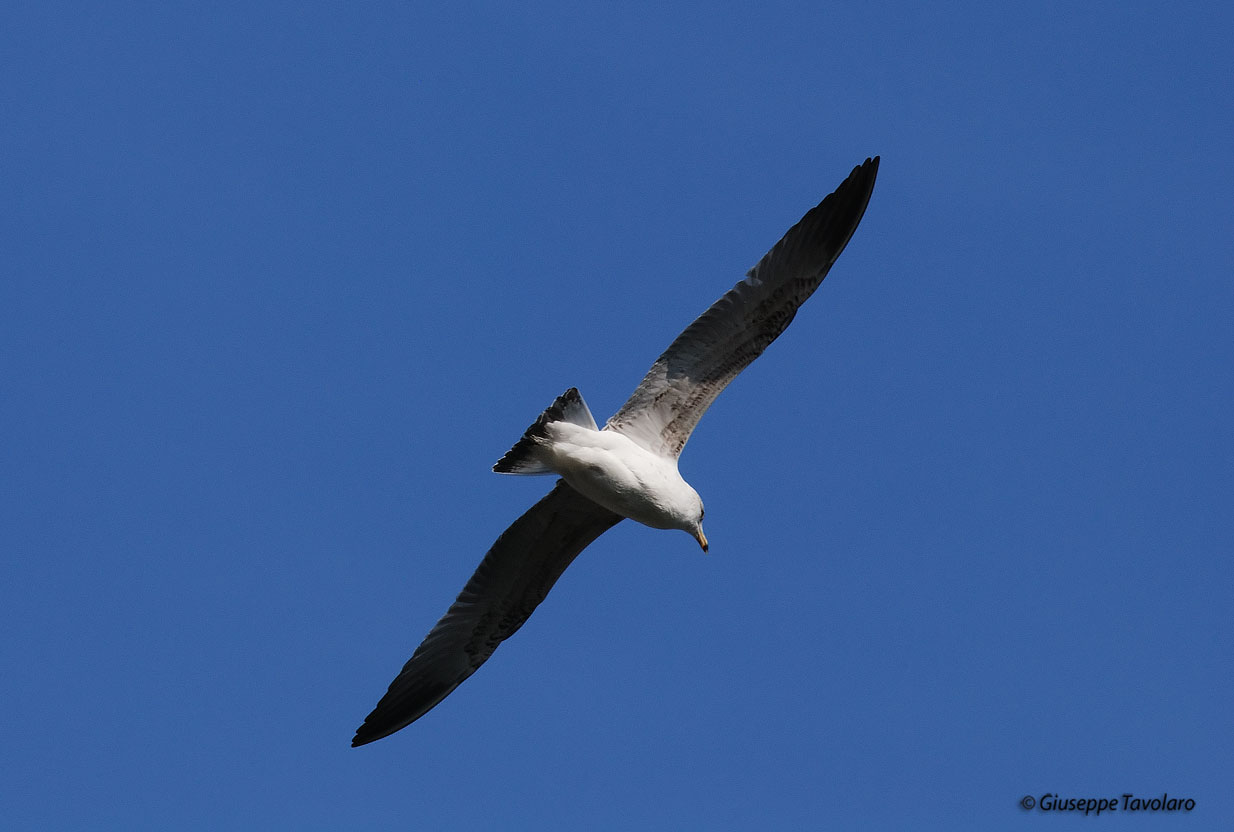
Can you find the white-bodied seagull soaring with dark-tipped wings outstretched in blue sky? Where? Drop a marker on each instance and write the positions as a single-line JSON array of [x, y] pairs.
[[627, 468]]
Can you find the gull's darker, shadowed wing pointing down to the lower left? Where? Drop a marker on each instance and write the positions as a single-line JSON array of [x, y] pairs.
[[513, 580]]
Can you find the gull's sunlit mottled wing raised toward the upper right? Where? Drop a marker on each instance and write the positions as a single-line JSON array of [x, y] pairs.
[[736, 330]]
